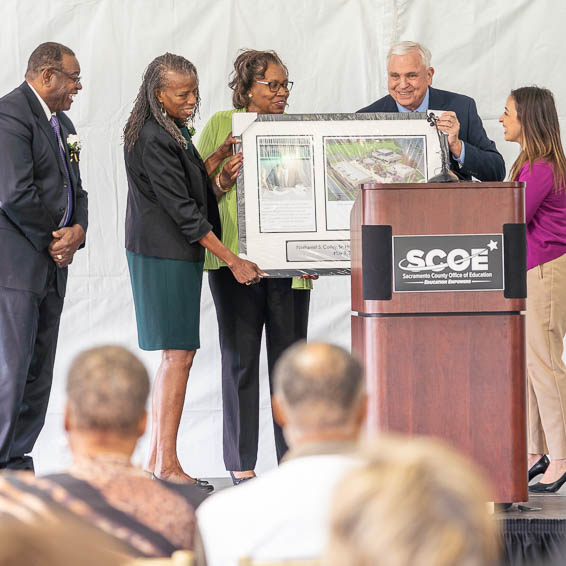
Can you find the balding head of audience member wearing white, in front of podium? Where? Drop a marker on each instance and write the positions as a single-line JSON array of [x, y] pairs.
[[319, 393]]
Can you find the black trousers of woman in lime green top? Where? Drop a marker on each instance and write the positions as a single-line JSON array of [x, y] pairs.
[[242, 312]]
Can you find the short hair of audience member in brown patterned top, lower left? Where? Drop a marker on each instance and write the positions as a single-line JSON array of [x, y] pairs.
[[107, 388]]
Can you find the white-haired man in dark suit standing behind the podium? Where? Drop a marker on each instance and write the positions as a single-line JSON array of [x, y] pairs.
[[409, 80]]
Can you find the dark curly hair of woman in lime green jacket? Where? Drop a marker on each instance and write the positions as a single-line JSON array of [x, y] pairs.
[[249, 66]]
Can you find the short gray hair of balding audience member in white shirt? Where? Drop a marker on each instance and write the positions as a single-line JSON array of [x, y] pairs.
[[320, 375]]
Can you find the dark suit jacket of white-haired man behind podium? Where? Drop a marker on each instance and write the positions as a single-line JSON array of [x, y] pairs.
[[482, 160]]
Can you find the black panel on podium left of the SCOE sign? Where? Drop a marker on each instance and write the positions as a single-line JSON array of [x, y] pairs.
[[377, 263]]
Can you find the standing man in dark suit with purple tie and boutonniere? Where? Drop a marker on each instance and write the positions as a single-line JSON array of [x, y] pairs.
[[43, 221]]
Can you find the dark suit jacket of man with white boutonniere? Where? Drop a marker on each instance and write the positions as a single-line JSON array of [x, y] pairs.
[[33, 196]]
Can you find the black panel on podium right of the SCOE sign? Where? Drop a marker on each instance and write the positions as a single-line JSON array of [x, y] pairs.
[[515, 261]]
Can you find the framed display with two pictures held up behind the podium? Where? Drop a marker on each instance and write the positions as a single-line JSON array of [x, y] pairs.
[[302, 174]]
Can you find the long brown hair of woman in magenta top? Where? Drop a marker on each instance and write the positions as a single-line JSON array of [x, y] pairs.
[[540, 131]]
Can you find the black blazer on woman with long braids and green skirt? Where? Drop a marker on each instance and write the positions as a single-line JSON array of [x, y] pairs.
[[171, 204]]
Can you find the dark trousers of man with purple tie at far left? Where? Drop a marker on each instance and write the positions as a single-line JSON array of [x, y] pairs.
[[29, 327]]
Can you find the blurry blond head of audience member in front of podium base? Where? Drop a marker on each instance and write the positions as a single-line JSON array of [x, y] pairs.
[[414, 502]]
